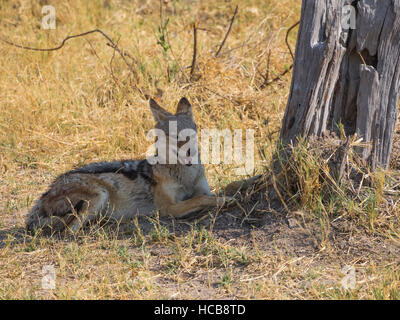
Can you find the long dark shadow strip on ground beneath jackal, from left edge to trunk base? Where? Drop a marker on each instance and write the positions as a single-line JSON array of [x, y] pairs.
[[238, 219]]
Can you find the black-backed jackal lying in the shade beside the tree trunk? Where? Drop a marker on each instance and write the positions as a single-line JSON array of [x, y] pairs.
[[122, 189]]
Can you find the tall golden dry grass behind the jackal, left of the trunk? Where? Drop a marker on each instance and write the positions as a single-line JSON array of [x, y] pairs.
[[78, 104]]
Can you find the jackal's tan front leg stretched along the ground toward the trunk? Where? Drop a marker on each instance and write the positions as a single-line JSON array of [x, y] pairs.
[[183, 208]]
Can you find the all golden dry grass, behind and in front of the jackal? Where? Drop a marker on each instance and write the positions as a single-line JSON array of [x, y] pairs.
[[79, 104]]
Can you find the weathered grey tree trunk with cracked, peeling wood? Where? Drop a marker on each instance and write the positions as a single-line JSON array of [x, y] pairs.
[[348, 76]]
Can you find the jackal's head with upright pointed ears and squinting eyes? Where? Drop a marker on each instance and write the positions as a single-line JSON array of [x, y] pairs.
[[176, 134]]
